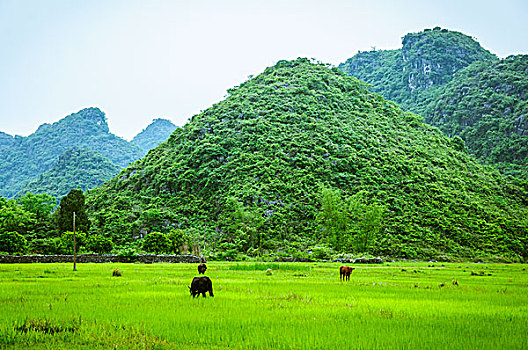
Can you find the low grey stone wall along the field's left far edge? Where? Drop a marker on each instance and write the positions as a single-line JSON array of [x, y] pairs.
[[96, 258]]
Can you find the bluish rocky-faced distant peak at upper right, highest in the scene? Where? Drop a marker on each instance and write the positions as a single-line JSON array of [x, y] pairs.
[[426, 60]]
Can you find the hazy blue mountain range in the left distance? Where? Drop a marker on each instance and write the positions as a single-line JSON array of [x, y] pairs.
[[57, 156]]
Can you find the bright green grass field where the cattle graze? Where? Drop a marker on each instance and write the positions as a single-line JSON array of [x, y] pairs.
[[299, 306]]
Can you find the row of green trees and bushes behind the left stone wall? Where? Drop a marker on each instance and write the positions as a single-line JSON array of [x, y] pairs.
[[34, 224]]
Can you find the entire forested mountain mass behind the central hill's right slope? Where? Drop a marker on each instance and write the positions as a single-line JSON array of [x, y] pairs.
[[458, 86]]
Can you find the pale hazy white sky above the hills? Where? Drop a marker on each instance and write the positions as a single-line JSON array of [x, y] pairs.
[[139, 60]]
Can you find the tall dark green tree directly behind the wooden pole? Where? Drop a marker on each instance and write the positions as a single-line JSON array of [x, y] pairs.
[[72, 202]]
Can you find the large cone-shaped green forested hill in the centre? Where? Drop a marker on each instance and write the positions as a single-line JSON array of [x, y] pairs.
[[268, 167]]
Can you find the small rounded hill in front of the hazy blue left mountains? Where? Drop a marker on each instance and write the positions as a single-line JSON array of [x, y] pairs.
[[76, 168]]
